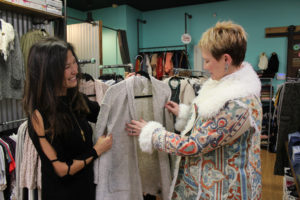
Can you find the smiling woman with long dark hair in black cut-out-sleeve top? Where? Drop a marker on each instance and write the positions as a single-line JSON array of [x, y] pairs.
[[58, 125]]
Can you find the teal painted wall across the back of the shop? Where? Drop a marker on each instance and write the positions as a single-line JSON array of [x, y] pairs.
[[165, 27]]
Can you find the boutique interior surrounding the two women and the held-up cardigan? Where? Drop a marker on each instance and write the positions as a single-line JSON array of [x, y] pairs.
[[157, 39]]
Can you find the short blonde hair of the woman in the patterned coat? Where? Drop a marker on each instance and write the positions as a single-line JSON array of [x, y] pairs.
[[225, 37]]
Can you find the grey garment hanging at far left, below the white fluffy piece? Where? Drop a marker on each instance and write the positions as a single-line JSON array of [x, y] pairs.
[[12, 74]]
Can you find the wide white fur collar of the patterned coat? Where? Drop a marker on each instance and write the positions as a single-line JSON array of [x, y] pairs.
[[214, 94]]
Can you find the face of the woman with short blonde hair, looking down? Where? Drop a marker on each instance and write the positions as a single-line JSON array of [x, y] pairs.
[[213, 66]]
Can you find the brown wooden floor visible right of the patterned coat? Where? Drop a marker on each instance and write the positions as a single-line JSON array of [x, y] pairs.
[[271, 184]]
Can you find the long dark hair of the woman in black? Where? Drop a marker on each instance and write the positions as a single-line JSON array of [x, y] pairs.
[[44, 81]]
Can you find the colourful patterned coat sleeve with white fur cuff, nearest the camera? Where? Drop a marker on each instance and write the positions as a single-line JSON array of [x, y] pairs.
[[231, 122]]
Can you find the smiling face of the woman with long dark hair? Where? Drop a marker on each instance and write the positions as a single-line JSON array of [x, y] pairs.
[[71, 70]]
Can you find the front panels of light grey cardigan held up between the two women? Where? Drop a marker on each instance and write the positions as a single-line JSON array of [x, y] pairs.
[[116, 171]]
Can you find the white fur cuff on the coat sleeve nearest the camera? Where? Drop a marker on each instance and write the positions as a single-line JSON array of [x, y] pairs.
[[145, 138]]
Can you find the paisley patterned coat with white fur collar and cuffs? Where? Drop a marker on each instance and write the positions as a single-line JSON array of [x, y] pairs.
[[219, 146]]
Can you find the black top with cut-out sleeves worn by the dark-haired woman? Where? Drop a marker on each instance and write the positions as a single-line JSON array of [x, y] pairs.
[[69, 146]]
